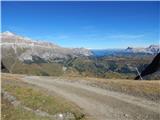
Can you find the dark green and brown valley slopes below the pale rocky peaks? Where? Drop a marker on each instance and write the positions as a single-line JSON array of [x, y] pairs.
[[107, 67]]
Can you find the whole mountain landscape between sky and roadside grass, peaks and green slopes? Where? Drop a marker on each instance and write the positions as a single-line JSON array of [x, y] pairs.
[[27, 56]]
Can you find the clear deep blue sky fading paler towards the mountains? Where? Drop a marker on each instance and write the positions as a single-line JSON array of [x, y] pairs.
[[97, 25]]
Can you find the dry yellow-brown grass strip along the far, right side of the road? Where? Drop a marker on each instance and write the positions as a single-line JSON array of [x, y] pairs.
[[146, 89]]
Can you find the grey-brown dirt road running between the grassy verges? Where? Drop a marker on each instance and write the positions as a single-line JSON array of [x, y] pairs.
[[98, 103]]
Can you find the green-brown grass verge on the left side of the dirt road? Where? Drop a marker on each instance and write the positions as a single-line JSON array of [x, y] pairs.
[[35, 98]]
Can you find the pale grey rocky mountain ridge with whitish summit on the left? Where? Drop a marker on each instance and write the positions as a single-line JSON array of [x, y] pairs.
[[44, 50]]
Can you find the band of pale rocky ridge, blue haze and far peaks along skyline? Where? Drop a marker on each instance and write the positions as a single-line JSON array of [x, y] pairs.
[[49, 51]]
